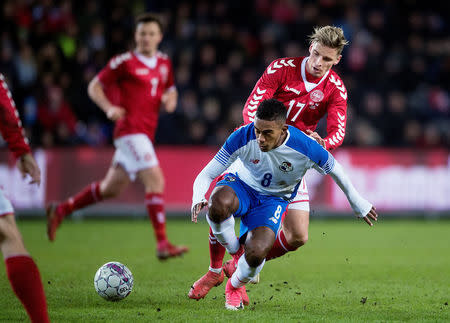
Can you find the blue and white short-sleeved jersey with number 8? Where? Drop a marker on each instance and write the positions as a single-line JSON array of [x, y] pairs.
[[279, 171]]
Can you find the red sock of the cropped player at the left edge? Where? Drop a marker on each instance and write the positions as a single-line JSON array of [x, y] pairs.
[[25, 280]]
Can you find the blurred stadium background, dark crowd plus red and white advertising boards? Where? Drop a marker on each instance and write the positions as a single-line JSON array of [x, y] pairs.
[[396, 70]]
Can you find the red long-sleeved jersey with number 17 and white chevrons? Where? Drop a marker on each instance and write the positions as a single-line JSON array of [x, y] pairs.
[[285, 80]]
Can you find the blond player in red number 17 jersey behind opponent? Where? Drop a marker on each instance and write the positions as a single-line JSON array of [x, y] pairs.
[[310, 90]]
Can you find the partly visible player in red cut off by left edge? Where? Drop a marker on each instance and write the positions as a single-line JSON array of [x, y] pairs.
[[22, 271]]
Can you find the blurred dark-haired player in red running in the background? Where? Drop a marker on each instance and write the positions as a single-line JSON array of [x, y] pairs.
[[139, 81]]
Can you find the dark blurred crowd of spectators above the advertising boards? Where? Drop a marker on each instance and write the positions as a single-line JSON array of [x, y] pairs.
[[396, 68]]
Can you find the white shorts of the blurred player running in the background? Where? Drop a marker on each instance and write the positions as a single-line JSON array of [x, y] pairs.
[[134, 153]]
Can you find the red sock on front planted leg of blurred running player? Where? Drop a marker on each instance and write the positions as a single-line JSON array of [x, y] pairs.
[[155, 208]]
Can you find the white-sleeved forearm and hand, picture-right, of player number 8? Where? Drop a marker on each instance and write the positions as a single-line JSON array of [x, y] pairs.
[[360, 206]]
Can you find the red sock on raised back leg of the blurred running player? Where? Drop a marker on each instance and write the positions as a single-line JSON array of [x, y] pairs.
[[87, 196]]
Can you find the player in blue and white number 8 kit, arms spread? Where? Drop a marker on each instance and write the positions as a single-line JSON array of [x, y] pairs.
[[275, 158]]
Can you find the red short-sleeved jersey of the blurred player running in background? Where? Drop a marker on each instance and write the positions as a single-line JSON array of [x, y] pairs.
[[140, 83]]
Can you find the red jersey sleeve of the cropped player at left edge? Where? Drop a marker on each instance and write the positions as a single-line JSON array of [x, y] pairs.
[[10, 124]]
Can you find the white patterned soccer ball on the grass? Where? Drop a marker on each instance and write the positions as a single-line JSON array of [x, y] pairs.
[[113, 281]]
